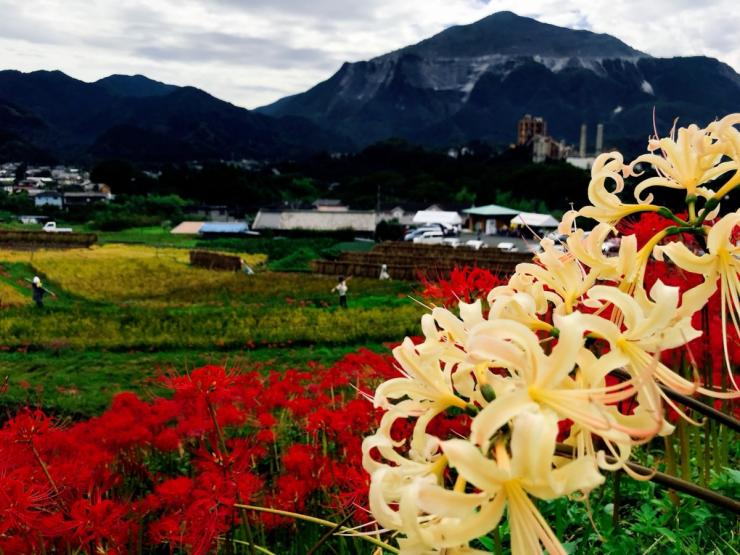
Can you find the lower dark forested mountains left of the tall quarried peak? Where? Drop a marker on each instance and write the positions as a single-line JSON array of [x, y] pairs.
[[51, 115]]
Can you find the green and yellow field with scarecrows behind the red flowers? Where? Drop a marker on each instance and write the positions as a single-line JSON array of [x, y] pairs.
[[123, 315]]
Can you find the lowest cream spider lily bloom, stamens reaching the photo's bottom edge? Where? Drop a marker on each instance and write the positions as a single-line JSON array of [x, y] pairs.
[[506, 480]]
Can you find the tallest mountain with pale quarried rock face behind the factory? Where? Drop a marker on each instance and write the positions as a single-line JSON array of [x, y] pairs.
[[475, 82]]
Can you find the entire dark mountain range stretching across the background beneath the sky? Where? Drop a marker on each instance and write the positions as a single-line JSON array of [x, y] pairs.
[[467, 83]]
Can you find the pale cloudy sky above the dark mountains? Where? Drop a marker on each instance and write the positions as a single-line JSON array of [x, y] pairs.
[[252, 52]]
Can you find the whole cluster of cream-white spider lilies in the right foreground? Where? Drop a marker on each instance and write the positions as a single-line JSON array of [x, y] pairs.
[[530, 361]]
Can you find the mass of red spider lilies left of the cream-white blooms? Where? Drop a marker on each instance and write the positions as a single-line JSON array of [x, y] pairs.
[[171, 470]]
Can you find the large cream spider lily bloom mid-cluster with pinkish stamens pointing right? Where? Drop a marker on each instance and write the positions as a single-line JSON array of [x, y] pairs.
[[541, 380]]
